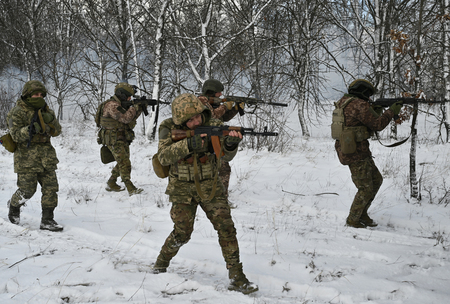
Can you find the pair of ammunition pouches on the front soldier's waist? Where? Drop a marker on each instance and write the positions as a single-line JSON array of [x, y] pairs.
[[184, 168]]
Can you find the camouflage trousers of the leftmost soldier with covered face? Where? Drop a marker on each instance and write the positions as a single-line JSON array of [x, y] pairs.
[[27, 184]]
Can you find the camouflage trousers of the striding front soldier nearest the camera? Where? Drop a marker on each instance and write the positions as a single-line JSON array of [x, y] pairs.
[[183, 217]]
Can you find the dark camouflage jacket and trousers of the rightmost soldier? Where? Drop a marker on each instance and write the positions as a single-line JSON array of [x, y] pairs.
[[365, 174]]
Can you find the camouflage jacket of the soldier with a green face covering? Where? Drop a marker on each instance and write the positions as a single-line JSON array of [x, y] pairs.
[[40, 155]]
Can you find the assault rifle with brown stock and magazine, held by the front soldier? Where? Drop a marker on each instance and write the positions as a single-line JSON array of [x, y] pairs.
[[214, 132]]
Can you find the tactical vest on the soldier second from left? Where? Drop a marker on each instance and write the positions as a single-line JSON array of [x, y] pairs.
[[112, 130]]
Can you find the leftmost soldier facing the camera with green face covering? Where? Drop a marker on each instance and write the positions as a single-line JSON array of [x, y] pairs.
[[31, 124]]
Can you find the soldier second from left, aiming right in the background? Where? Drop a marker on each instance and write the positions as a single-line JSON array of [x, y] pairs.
[[117, 133]]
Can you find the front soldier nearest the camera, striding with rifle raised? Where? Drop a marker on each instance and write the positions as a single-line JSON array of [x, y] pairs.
[[186, 193]]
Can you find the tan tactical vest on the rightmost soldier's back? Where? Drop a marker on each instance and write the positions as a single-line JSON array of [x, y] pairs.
[[347, 136]]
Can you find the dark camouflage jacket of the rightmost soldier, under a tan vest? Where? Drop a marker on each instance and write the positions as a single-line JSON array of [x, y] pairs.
[[359, 113]]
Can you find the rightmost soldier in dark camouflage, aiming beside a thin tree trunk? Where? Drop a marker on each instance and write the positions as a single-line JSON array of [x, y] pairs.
[[352, 146]]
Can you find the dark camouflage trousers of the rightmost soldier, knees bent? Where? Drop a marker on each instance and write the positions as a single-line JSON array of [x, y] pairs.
[[367, 178]]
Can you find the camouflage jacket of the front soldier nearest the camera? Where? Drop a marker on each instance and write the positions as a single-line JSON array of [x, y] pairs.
[[174, 154]]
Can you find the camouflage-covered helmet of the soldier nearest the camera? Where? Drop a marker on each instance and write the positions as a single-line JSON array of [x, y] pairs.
[[187, 105]]
